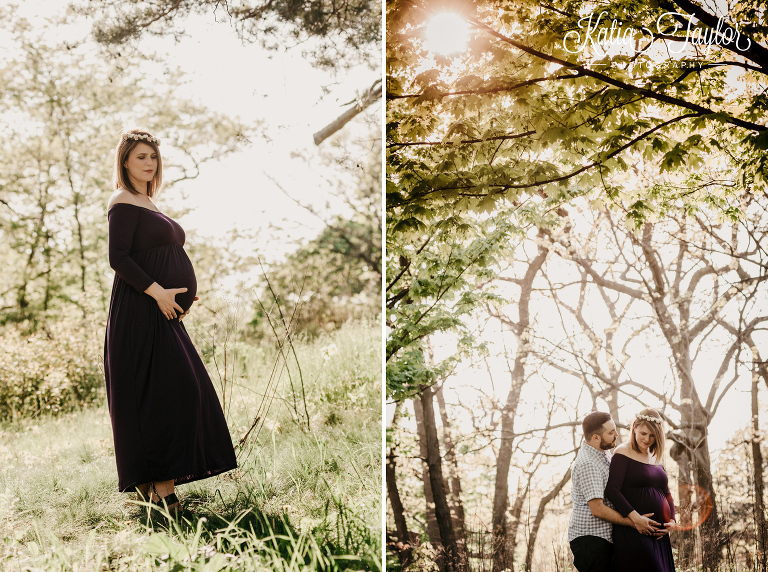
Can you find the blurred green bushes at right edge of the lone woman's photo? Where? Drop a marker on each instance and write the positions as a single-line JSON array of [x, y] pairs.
[[336, 276]]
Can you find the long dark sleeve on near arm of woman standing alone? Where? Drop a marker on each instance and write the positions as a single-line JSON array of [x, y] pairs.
[[122, 228]]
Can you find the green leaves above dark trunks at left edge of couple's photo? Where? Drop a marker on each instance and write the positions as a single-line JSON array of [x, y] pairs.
[[432, 276]]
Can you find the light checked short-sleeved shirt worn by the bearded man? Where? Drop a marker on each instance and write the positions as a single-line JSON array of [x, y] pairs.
[[589, 476]]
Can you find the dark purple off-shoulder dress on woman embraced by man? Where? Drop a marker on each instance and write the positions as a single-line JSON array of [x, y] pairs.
[[633, 485]]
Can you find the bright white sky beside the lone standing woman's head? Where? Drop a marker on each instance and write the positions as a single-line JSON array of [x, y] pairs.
[[279, 88]]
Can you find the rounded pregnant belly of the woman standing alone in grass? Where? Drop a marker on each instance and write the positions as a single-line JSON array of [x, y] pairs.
[[171, 268]]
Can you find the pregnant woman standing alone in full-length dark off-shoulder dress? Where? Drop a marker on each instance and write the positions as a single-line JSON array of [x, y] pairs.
[[167, 422]]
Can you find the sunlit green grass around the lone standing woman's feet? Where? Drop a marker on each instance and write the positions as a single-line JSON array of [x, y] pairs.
[[300, 500]]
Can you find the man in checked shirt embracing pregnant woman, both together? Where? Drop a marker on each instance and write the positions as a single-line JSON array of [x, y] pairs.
[[622, 509]]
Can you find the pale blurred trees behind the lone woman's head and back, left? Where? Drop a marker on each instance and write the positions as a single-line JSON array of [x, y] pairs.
[[62, 112]]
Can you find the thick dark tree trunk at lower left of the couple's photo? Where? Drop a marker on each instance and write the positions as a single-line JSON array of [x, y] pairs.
[[453, 557]]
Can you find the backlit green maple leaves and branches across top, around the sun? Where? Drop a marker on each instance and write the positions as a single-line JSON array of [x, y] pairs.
[[516, 116]]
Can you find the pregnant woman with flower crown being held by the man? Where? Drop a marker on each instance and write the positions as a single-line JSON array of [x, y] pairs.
[[637, 484]]
